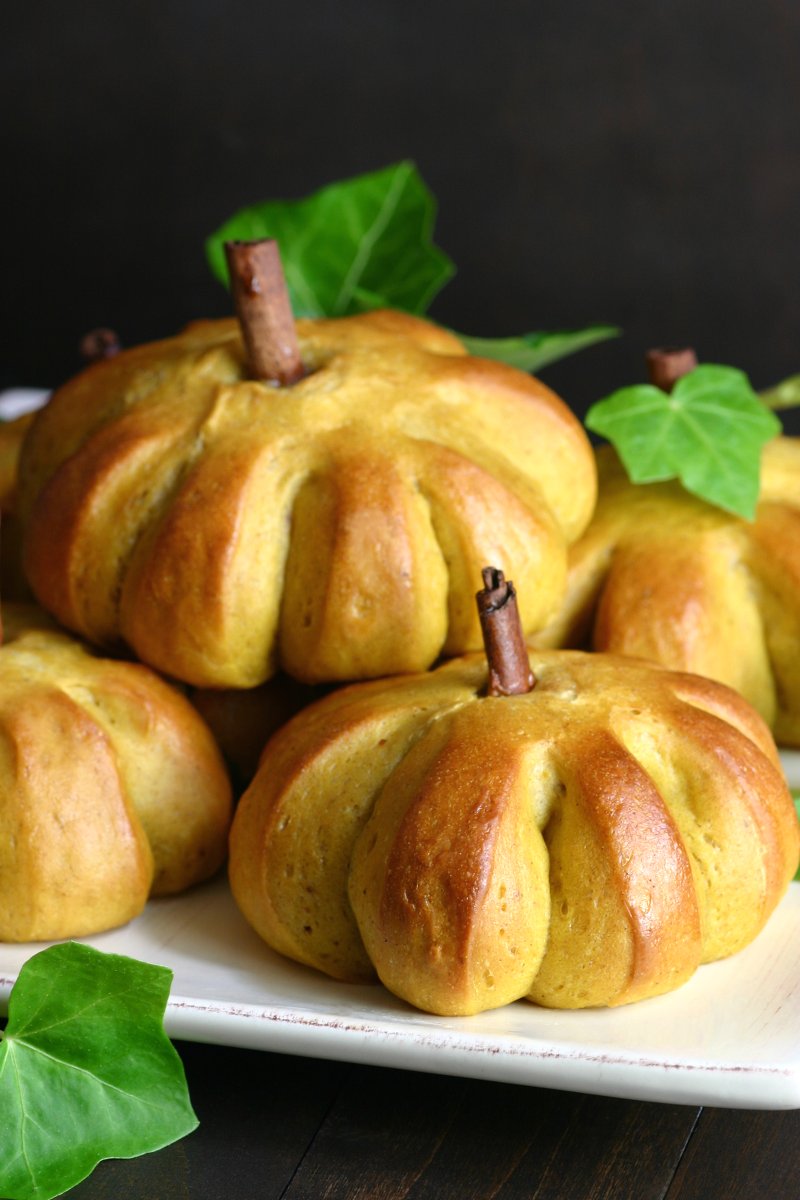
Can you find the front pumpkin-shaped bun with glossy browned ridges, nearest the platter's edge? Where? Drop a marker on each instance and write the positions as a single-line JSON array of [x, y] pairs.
[[587, 844]]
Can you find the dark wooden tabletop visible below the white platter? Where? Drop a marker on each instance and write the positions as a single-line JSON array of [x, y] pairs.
[[274, 1126]]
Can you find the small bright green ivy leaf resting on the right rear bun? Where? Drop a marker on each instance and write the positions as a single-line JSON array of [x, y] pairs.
[[708, 433]]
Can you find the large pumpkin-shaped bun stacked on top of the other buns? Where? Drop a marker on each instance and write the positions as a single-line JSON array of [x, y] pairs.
[[335, 529]]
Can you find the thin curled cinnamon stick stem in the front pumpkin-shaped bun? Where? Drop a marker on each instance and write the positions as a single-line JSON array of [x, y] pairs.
[[507, 653]]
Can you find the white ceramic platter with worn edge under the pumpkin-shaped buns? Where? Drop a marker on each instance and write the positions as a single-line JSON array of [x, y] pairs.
[[730, 1037]]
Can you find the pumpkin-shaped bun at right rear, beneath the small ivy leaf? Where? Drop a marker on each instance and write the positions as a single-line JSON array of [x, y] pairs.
[[661, 575]]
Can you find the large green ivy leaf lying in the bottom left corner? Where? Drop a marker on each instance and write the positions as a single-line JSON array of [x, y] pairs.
[[87, 1071]]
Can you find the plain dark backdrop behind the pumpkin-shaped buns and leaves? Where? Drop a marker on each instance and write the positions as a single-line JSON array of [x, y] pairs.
[[628, 164]]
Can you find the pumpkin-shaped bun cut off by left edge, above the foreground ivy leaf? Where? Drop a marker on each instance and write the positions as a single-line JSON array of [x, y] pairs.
[[112, 788]]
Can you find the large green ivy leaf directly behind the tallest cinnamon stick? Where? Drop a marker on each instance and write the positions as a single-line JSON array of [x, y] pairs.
[[364, 243]]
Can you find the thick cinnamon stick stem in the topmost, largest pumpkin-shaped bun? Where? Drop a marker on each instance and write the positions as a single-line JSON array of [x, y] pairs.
[[262, 303]]
